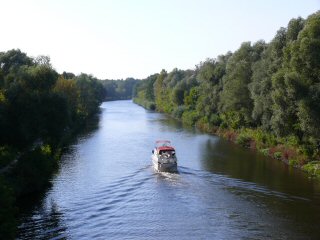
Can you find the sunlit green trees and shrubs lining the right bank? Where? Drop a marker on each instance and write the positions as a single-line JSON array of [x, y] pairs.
[[264, 95]]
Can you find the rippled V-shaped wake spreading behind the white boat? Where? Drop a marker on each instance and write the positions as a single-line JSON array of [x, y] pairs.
[[163, 202]]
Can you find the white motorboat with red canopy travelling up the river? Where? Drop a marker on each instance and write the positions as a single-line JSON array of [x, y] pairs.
[[164, 157]]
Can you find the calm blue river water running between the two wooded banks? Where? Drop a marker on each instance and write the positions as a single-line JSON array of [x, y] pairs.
[[106, 187]]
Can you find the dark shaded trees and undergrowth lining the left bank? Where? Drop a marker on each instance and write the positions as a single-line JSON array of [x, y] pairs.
[[39, 108]]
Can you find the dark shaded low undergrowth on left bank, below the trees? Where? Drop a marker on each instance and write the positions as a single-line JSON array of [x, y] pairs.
[[29, 173]]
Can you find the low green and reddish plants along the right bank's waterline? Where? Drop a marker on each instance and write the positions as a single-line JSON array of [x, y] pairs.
[[286, 150]]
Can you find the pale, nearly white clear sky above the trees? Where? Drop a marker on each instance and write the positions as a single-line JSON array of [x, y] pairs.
[[116, 39]]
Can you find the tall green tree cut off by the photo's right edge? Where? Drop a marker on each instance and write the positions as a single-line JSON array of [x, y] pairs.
[[303, 63]]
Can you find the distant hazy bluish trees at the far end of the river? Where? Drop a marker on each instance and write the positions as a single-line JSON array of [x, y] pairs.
[[119, 89]]
